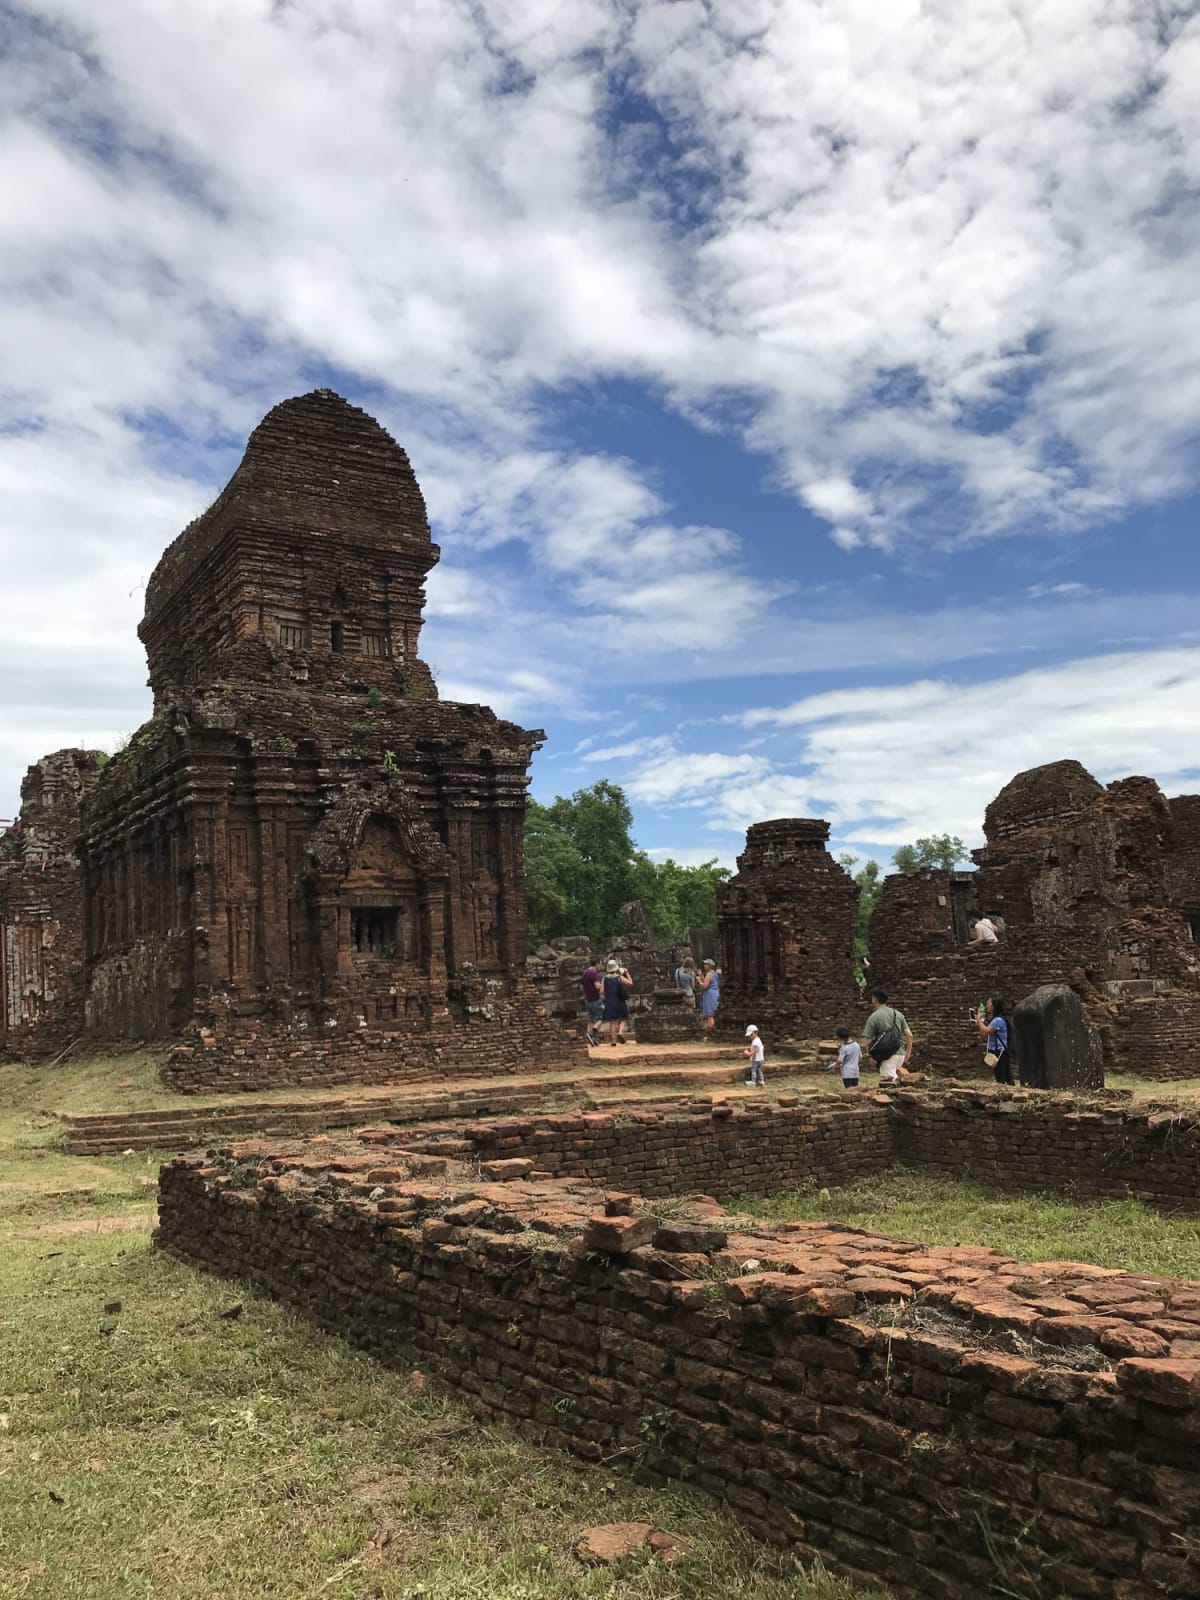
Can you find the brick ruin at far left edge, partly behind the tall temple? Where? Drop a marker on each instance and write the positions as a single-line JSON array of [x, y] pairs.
[[42, 911]]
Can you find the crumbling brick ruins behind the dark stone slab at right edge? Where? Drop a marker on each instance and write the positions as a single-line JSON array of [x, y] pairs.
[[1097, 889]]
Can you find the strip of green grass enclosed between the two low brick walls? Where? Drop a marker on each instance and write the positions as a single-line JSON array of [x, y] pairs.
[[940, 1210]]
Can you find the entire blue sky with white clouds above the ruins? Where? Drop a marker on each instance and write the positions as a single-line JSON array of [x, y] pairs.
[[807, 396]]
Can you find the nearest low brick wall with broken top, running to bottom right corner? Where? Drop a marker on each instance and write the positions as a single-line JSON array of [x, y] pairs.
[[945, 1422]]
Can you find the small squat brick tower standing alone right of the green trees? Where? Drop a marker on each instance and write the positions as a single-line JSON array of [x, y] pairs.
[[786, 930]]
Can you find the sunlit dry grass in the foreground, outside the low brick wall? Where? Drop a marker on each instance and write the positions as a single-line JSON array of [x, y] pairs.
[[167, 1450]]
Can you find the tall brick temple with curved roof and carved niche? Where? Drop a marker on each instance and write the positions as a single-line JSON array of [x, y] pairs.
[[306, 862]]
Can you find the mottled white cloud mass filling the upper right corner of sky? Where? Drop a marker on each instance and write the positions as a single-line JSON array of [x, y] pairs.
[[945, 250]]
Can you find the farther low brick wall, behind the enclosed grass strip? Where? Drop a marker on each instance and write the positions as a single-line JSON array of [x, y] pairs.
[[1010, 1138]]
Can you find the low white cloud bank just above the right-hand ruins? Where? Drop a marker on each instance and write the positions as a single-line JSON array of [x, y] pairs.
[[894, 762]]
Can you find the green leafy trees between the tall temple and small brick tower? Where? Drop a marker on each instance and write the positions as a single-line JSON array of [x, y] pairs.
[[582, 866]]
